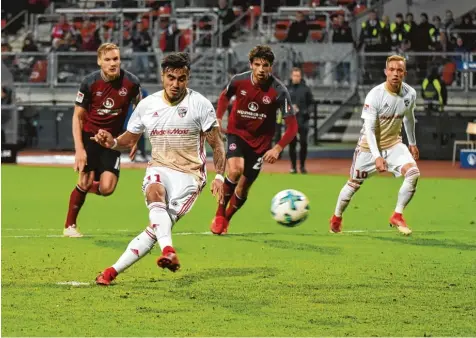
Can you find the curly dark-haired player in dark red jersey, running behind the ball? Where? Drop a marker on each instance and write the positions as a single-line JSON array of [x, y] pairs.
[[250, 130]]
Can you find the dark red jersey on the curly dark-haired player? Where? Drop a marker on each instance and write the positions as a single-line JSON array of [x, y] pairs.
[[253, 114]]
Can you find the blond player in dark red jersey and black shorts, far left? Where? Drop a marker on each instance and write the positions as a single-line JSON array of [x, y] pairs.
[[102, 102]]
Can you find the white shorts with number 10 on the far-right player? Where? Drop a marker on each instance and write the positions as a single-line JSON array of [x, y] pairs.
[[363, 164]]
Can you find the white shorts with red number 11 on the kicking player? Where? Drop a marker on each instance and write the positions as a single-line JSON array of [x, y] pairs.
[[181, 189]]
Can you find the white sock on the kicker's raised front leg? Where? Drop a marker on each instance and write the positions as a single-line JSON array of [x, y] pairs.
[[160, 223]]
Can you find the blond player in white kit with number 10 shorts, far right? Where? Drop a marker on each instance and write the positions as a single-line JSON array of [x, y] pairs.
[[380, 146]]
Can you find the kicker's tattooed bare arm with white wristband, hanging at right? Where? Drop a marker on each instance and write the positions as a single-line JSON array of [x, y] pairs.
[[215, 140]]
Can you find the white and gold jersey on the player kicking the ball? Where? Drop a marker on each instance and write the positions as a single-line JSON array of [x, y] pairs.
[[176, 132]]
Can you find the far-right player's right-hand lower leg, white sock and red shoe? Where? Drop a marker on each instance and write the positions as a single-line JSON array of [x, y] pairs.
[[411, 173]]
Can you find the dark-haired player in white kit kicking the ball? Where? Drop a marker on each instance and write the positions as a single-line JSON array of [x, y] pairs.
[[178, 120]]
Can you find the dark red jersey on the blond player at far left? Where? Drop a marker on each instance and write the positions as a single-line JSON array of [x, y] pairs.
[[107, 102]]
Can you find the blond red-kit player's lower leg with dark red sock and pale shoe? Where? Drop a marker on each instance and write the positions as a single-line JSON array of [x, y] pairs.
[[76, 201]]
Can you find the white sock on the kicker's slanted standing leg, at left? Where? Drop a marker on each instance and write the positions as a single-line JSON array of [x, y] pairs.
[[136, 249]]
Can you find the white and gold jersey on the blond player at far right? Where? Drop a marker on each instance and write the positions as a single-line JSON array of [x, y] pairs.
[[389, 110]]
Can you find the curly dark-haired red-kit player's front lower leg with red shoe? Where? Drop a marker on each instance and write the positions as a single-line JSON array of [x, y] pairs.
[[235, 167]]
